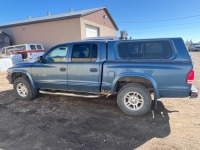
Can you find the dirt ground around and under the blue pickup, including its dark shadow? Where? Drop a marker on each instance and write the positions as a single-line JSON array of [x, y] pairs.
[[58, 122]]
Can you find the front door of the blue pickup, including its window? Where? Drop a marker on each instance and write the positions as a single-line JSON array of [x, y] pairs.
[[52, 72]]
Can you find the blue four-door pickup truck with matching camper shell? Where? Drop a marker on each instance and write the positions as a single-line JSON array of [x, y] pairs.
[[138, 71]]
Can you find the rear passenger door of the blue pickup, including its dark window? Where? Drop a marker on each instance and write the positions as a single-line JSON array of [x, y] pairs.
[[84, 67]]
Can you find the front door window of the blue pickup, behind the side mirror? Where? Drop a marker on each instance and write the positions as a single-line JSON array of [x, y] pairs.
[[57, 55]]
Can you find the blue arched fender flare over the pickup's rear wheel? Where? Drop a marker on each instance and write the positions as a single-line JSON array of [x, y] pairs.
[[140, 75]]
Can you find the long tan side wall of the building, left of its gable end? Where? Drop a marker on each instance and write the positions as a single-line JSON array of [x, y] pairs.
[[46, 33]]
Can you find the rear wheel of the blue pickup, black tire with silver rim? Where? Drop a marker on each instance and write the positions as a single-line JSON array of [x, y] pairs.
[[134, 99]]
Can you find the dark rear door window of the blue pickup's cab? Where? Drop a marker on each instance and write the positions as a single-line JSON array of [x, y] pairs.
[[84, 53]]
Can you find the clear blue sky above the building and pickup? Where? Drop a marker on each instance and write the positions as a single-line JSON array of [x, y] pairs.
[[140, 18]]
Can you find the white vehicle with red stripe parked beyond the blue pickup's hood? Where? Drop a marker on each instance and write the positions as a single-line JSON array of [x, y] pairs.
[[29, 52]]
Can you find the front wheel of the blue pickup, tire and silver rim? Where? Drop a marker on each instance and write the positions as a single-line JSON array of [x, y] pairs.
[[23, 89]]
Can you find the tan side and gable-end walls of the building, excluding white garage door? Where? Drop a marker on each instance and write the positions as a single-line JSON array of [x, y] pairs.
[[59, 31]]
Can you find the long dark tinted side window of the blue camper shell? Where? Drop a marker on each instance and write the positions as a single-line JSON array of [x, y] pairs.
[[145, 50]]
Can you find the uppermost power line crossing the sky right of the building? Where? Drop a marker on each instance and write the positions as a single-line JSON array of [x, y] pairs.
[[162, 20]]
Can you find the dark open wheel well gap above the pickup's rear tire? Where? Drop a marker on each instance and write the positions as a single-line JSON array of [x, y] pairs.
[[125, 80]]
